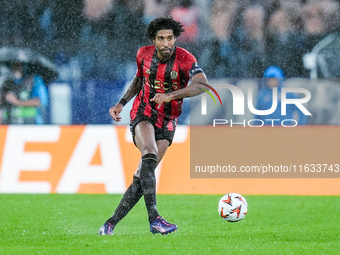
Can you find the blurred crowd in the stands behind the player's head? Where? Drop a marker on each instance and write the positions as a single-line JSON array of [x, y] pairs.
[[98, 39]]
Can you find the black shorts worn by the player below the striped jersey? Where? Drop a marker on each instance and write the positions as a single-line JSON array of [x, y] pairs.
[[160, 133]]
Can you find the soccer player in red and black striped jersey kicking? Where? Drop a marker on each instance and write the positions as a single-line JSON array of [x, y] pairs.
[[160, 84]]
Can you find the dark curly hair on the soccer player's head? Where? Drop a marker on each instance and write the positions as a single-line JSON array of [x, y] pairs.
[[164, 23]]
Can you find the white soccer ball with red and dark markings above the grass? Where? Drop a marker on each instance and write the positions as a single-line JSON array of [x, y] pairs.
[[232, 207]]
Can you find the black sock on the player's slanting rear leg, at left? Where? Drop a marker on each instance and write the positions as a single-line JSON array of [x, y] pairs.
[[130, 198]]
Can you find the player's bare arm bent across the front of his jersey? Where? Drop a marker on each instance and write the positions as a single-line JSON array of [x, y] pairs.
[[193, 89]]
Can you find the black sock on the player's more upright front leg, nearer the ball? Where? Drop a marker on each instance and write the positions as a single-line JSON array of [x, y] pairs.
[[148, 183]]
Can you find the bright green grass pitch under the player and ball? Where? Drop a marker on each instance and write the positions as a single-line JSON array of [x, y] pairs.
[[68, 224]]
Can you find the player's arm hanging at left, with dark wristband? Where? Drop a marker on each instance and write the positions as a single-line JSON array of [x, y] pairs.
[[133, 89]]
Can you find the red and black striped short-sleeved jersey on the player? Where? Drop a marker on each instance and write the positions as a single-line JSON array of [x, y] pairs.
[[162, 77]]
